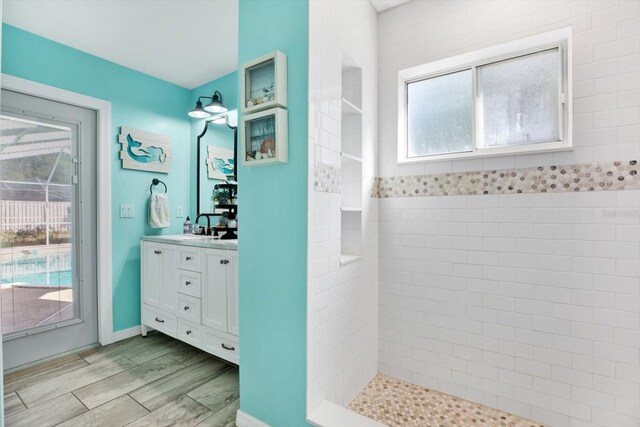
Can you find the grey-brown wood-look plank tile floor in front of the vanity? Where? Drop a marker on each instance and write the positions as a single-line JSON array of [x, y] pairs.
[[153, 381]]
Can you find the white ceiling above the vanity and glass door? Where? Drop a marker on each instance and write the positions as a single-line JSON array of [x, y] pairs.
[[186, 42]]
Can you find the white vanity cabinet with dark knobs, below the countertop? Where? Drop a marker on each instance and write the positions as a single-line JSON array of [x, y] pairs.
[[191, 293]]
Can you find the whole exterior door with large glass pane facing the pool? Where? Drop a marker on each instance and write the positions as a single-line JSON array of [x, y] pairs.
[[47, 226]]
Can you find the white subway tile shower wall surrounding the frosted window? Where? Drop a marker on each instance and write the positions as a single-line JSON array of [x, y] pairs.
[[525, 302]]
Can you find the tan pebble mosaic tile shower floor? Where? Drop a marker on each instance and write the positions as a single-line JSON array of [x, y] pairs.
[[401, 404]]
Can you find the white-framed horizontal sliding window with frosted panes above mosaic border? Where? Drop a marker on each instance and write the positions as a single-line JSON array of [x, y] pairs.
[[507, 99]]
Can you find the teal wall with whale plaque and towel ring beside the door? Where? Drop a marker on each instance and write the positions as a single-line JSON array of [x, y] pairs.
[[138, 101]]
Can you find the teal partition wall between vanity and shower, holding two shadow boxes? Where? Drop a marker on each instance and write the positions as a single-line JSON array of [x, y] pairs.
[[273, 245]]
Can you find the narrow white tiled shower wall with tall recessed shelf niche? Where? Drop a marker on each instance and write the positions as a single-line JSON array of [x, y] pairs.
[[342, 323]]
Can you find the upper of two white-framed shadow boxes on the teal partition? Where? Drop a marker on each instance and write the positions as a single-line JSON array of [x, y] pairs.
[[263, 83]]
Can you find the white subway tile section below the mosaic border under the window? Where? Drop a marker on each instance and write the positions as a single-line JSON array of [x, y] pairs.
[[526, 302]]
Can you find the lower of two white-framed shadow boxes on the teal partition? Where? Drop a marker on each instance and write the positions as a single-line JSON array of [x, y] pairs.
[[264, 138]]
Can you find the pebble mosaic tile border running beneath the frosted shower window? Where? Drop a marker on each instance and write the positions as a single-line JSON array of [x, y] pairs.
[[603, 176]]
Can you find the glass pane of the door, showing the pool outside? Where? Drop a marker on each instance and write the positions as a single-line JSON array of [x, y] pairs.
[[35, 201]]
